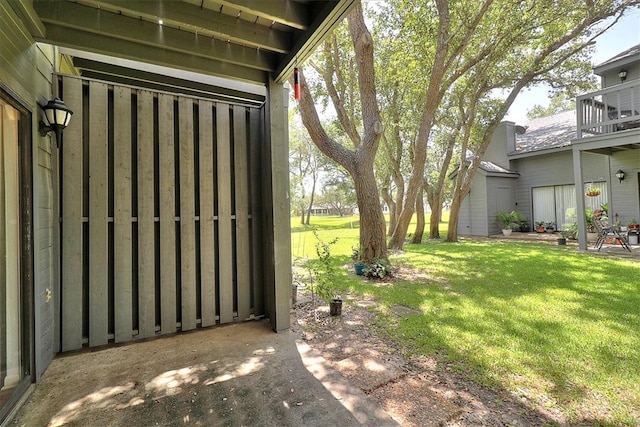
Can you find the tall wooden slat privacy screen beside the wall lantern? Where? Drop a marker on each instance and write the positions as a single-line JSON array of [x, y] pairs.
[[160, 200]]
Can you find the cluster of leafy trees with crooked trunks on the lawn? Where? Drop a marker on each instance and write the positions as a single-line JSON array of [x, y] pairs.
[[443, 77]]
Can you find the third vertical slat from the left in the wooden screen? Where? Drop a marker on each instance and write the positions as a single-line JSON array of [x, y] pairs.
[[123, 292]]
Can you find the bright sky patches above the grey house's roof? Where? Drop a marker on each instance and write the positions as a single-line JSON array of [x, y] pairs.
[[623, 35]]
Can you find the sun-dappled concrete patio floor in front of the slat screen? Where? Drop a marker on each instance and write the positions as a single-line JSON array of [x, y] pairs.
[[237, 375]]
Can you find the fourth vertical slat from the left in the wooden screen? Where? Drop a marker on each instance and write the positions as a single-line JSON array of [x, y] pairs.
[[146, 221]]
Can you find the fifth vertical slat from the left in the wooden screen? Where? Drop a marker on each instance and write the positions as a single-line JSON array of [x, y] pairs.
[[167, 215]]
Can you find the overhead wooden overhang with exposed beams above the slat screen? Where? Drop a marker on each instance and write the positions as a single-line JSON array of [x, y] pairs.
[[242, 40]]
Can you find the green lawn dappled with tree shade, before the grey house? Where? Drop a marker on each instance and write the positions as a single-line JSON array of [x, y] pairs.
[[554, 326]]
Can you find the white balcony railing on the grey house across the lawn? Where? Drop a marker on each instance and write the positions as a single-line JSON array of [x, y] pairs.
[[609, 110]]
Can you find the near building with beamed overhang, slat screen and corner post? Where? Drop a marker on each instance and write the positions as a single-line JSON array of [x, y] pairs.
[[165, 207]]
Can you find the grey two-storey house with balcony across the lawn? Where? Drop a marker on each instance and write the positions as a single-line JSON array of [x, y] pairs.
[[539, 169]]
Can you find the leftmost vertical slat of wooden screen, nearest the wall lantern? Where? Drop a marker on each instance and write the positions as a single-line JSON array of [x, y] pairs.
[[72, 247]]
